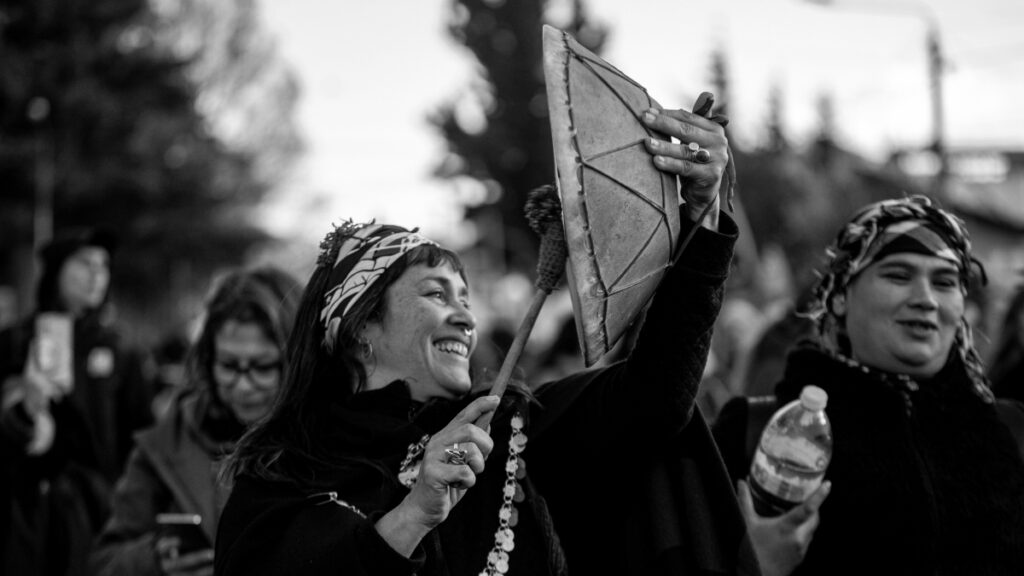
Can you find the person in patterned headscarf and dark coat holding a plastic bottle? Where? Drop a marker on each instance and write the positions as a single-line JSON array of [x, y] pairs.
[[925, 477]]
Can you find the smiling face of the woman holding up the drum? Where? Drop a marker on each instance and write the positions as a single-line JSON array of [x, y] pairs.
[[426, 337]]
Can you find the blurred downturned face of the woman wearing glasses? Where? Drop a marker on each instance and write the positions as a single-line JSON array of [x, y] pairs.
[[247, 369]]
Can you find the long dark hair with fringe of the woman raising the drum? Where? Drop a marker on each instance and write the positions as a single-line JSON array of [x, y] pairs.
[[319, 379]]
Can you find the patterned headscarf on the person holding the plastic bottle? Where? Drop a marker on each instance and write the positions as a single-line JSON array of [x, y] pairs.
[[907, 225]]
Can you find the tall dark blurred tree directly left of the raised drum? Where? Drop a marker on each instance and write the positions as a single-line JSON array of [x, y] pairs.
[[500, 137]]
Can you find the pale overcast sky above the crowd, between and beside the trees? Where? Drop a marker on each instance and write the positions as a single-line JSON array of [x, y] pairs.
[[371, 72]]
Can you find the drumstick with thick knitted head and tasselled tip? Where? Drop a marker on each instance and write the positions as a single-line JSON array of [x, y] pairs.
[[544, 212]]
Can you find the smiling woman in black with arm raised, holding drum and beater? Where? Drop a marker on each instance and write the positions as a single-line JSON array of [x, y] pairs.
[[372, 461]]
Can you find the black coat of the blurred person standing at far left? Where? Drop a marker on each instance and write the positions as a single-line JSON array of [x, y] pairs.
[[52, 506]]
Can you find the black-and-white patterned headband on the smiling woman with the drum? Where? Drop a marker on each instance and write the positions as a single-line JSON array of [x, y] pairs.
[[364, 253]]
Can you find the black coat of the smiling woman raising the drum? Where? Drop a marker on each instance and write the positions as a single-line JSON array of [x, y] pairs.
[[618, 458]]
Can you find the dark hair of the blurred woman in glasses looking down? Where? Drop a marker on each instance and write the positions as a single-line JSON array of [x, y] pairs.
[[266, 297]]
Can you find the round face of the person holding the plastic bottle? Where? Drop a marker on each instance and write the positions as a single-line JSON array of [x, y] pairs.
[[903, 313]]
